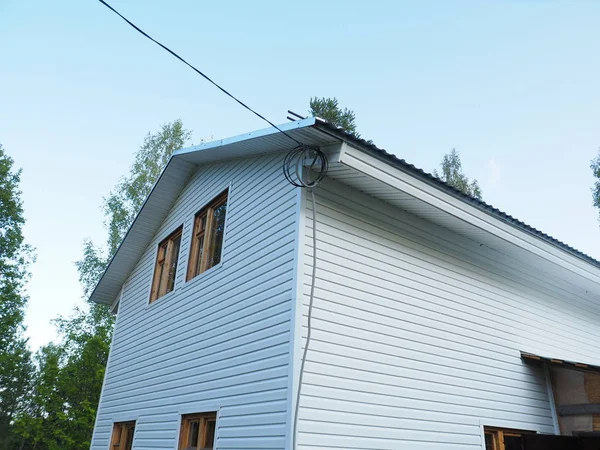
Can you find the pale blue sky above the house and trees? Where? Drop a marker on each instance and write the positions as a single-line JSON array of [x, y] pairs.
[[513, 85]]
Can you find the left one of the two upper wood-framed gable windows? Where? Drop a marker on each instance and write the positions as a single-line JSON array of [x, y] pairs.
[[166, 265]]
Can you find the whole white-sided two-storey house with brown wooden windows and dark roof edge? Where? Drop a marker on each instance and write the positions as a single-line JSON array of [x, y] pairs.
[[437, 321]]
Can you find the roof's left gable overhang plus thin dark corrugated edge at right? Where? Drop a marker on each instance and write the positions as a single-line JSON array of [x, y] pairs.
[[310, 131]]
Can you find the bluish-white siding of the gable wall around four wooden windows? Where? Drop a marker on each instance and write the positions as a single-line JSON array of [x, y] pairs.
[[221, 340]]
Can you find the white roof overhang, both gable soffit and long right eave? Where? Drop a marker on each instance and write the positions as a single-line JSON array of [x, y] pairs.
[[363, 166]]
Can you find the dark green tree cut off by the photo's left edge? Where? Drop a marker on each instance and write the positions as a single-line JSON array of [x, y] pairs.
[[15, 257]]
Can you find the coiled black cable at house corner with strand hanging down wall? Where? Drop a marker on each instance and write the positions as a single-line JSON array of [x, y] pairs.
[[306, 167]]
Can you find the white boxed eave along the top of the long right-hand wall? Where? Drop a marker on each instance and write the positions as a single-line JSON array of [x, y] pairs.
[[373, 174]]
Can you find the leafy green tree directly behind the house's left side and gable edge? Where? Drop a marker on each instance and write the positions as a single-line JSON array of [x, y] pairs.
[[69, 380]]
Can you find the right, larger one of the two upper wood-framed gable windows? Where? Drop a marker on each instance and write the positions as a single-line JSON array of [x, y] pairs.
[[207, 240]]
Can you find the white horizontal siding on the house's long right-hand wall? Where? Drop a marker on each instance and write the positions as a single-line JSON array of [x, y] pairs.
[[417, 332]]
